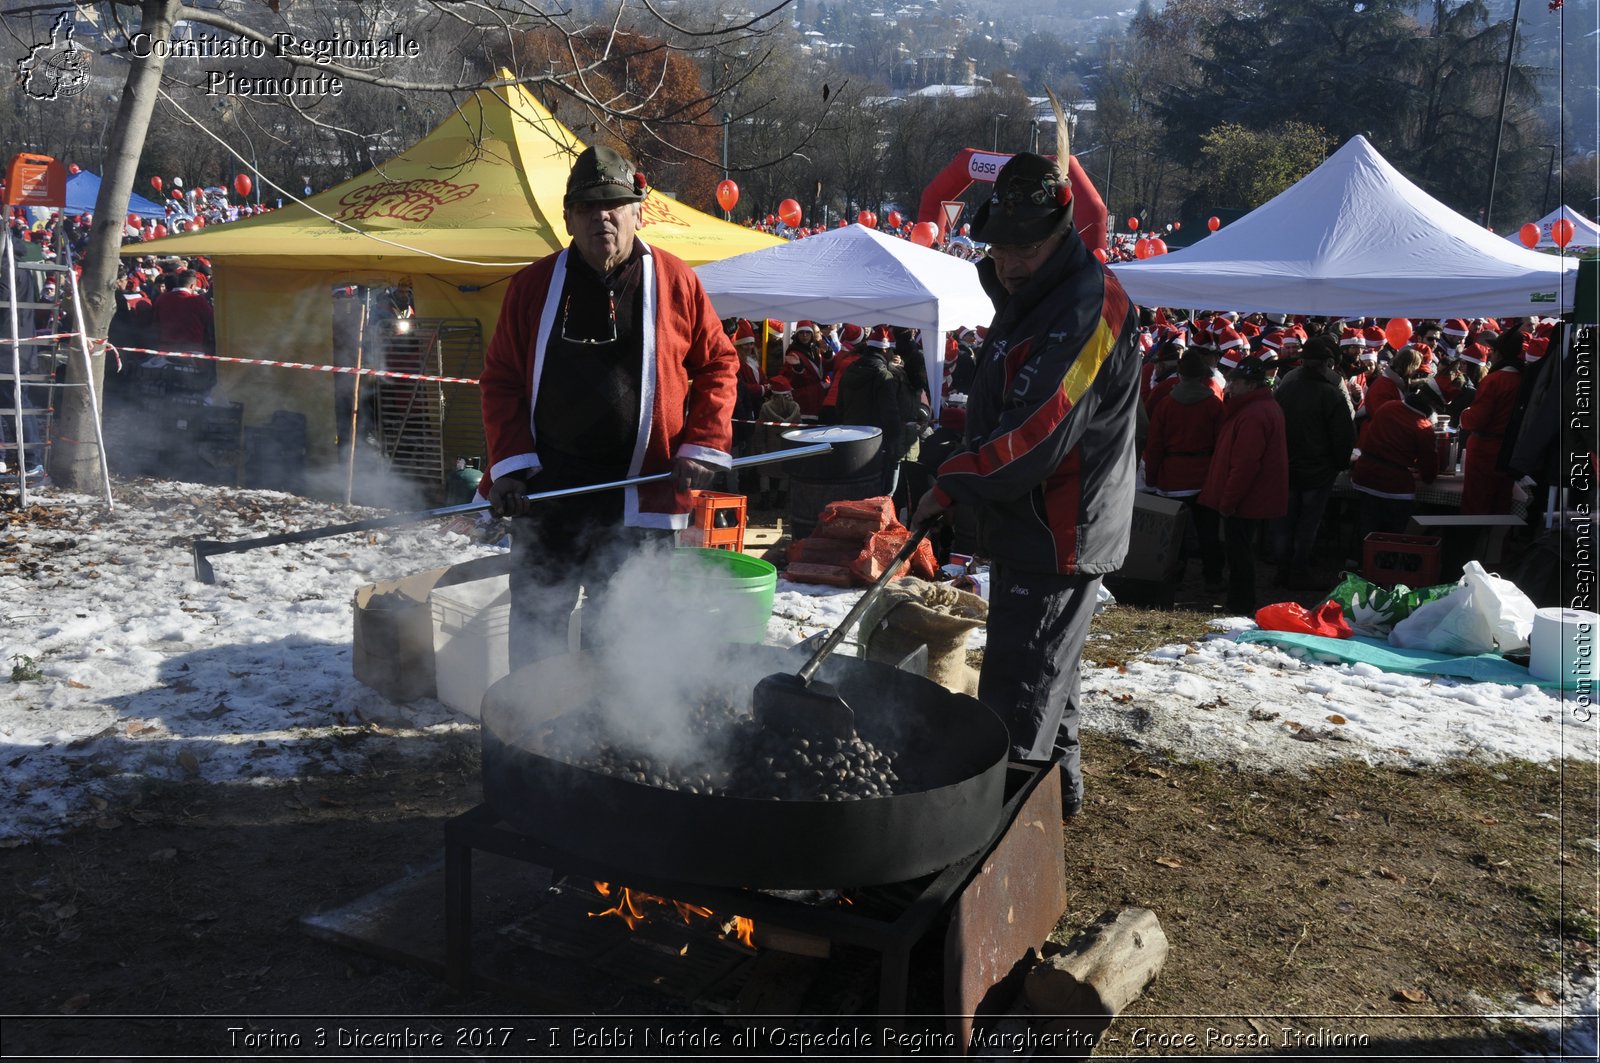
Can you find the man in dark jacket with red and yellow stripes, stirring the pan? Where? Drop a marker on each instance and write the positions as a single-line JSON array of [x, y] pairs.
[[1049, 462]]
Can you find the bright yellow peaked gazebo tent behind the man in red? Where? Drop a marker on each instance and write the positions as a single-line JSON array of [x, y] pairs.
[[452, 219]]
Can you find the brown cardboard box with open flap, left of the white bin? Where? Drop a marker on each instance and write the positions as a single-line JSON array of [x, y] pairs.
[[394, 638]]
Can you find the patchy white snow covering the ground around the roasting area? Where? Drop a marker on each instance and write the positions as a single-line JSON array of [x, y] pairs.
[[148, 675]]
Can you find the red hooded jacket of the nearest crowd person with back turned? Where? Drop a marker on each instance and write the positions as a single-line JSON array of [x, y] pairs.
[[1250, 470]]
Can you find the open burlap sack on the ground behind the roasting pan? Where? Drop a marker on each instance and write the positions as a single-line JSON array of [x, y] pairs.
[[914, 612]]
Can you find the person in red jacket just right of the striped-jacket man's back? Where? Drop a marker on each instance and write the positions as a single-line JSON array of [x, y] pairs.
[[1178, 452]]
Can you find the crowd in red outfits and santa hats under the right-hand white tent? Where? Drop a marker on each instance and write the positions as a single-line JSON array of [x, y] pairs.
[[1254, 420]]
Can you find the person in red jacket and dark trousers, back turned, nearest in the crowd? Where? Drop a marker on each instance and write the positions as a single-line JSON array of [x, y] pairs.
[[1249, 481]]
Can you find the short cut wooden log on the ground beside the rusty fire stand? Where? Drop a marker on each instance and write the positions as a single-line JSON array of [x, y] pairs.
[[1102, 973]]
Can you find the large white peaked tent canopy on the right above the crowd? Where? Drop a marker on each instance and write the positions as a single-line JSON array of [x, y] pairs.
[[1351, 239]]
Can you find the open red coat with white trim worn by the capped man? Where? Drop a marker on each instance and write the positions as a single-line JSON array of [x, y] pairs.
[[687, 388]]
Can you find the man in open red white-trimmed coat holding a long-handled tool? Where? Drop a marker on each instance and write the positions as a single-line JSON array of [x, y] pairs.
[[609, 363]]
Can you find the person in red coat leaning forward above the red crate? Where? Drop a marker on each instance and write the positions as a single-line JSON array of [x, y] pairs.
[[1398, 451]]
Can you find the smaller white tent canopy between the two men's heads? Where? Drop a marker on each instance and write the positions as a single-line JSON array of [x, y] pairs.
[[855, 275]]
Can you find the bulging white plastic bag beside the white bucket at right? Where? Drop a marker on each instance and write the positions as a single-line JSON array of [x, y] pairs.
[[1484, 616]]
